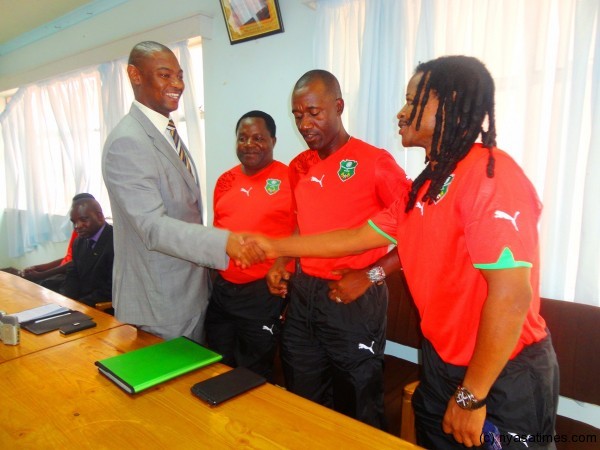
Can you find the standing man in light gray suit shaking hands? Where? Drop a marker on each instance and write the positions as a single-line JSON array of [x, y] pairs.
[[162, 250]]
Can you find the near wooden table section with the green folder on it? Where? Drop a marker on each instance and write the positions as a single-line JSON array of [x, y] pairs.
[[56, 398]]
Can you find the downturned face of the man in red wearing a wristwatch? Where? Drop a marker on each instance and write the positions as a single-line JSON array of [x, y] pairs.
[[317, 113]]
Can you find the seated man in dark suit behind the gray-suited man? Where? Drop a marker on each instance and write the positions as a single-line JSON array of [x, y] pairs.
[[89, 278]]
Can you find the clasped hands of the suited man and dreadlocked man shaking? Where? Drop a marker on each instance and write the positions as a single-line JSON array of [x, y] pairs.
[[248, 249]]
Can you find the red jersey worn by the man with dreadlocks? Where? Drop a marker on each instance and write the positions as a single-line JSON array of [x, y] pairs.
[[476, 223]]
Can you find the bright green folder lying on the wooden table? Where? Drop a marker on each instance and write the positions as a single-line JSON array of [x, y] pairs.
[[146, 367]]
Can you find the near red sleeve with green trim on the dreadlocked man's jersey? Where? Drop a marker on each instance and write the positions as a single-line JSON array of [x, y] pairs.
[[501, 216]]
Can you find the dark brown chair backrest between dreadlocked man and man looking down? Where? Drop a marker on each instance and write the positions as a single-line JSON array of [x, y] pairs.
[[403, 317]]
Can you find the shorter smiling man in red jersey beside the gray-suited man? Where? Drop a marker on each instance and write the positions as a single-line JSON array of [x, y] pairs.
[[243, 317]]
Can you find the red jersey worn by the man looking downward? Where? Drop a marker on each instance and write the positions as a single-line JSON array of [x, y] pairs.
[[343, 191]]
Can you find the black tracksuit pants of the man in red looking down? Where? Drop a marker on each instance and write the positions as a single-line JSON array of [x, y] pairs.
[[332, 353]]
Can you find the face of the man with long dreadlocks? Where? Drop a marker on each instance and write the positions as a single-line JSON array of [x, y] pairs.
[[411, 137]]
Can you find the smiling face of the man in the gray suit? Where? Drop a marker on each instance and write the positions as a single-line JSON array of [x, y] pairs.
[[157, 81]]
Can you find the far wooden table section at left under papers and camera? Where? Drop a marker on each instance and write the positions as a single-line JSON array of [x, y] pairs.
[[18, 294]]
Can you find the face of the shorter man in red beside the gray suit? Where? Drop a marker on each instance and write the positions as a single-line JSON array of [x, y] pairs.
[[254, 145]]
